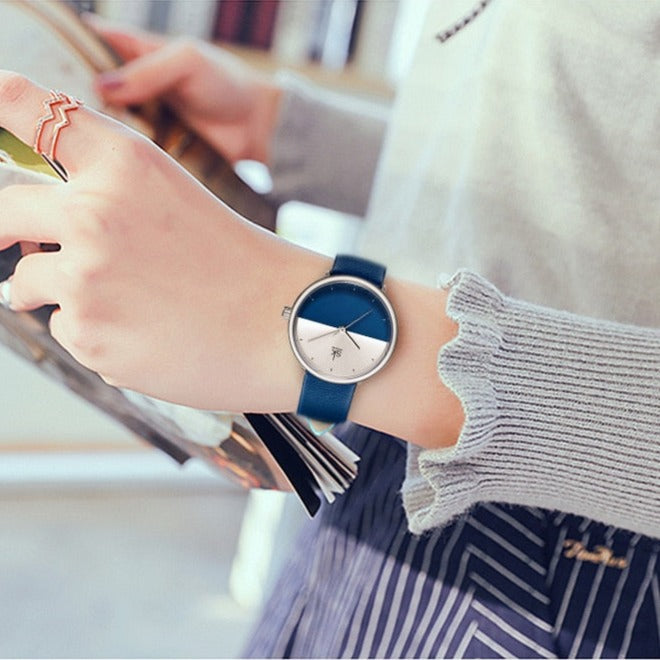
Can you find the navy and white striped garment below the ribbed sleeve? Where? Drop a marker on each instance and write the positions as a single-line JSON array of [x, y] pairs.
[[497, 582]]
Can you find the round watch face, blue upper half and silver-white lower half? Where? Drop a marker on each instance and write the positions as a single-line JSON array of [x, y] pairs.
[[342, 329]]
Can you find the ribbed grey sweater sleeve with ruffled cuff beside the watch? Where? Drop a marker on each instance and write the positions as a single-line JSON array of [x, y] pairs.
[[561, 412]]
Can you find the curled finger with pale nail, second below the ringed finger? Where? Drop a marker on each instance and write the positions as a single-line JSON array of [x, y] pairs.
[[34, 282]]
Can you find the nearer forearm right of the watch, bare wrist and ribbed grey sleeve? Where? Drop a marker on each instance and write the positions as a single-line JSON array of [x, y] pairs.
[[503, 401]]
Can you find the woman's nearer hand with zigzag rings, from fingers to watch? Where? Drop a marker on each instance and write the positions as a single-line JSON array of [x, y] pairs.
[[161, 288]]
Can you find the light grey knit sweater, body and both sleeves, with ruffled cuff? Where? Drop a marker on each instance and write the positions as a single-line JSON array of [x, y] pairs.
[[556, 203]]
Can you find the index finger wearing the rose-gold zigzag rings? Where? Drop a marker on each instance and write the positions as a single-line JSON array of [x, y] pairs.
[[82, 133]]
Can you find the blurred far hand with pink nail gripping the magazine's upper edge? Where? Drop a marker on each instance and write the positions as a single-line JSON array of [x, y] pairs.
[[224, 100]]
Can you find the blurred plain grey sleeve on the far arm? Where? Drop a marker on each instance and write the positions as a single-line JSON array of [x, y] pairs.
[[325, 147]]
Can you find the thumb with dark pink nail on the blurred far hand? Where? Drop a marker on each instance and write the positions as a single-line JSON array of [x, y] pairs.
[[147, 77]]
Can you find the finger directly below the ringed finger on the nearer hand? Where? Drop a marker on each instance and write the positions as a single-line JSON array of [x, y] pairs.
[[27, 214]]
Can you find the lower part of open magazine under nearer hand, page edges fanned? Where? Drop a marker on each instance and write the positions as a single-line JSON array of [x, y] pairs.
[[272, 451]]
